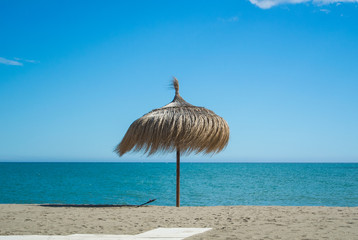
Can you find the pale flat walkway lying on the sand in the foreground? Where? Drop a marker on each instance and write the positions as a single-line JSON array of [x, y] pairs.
[[155, 234]]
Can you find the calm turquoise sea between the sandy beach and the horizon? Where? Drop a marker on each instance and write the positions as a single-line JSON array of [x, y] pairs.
[[202, 184]]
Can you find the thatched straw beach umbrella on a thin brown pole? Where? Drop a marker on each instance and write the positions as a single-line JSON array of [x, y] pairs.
[[178, 126]]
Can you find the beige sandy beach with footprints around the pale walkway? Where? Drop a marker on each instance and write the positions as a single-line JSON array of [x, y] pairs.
[[230, 222]]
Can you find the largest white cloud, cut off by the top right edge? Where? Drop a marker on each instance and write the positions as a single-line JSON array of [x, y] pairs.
[[266, 4]]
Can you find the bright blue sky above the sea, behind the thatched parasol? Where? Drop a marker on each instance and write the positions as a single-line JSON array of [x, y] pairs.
[[283, 73]]
